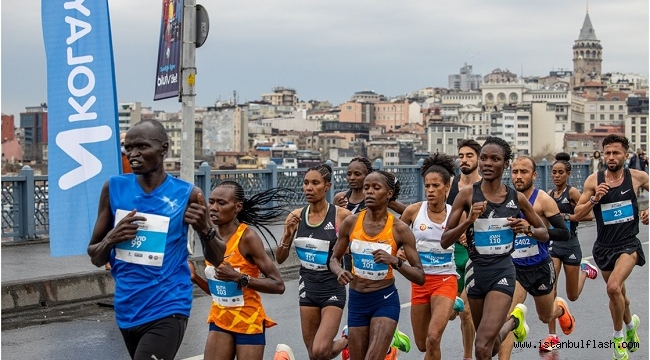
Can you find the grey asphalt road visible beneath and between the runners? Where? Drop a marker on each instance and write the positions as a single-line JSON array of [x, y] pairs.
[[94, 334]]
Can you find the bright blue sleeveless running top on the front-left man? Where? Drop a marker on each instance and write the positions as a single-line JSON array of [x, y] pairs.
[[152, 278]]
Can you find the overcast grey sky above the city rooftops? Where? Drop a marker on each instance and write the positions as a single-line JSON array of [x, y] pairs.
[[329, 50]]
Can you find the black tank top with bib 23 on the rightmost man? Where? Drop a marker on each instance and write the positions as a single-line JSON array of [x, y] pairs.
[[617, 213]]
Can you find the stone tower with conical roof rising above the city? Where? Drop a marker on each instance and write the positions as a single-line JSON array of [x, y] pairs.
[[587, 55]]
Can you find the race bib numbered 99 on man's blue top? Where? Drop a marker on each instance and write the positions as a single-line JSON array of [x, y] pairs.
[[148, 245]]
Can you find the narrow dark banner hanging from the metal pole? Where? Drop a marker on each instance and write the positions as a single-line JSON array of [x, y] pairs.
[[168, 72]]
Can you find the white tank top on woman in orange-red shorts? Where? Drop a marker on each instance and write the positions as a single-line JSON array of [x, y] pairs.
[[435, 260]]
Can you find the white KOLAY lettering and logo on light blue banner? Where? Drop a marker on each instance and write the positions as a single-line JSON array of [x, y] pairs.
[[70, 141]]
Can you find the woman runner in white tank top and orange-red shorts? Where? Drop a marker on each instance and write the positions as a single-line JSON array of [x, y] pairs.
[[432, 303]]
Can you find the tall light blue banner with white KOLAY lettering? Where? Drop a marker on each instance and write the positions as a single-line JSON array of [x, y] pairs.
[[83, 141]]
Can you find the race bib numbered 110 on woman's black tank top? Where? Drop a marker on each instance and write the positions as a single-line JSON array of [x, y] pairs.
[[493, 236]]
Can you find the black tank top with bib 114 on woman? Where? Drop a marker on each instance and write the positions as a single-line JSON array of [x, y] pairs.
[[314, 245]]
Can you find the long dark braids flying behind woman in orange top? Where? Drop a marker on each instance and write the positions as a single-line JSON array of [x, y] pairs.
[[254, 213]]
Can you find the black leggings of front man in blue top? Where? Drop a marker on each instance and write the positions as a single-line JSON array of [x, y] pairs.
[[159, 339]]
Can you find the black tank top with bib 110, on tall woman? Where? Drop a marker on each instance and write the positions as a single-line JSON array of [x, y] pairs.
[[489, 238]]
